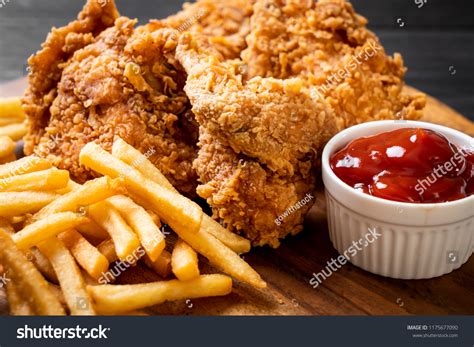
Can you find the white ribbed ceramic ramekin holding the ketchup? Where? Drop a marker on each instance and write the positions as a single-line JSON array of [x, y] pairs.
[[417, 240]]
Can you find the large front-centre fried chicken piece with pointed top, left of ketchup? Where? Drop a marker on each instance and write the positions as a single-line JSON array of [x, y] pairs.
[[258, 143]]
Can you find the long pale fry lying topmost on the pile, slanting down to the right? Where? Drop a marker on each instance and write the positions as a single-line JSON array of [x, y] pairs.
[[179, 212]]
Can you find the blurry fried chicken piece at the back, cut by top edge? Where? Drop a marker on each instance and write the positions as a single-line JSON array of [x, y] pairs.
[[225, 22]]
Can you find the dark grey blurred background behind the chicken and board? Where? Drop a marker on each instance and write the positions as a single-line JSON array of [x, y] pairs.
[[436, 40]]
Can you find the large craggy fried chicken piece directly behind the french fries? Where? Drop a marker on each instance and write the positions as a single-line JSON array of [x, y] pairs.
[[121, 85]]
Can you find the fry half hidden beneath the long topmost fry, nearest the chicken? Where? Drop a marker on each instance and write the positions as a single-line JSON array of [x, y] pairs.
[[128, 154]]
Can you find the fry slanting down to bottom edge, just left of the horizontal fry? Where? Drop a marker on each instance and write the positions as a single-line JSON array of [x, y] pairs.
[[69, 276]]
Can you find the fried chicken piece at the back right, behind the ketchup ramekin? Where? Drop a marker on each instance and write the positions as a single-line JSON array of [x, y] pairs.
[[328, 45]]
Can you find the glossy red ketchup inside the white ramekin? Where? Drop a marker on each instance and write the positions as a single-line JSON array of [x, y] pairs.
[[407, 165]]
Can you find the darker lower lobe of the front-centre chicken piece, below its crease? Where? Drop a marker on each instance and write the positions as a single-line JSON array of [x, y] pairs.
[[248, 197]]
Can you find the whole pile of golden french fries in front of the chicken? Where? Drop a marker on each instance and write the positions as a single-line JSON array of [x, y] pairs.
[[60, 241]]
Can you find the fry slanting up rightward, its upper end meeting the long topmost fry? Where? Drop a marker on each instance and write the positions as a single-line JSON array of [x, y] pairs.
[[78, 199]]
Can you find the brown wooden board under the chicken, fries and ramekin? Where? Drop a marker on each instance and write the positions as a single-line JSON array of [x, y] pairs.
[[349, 291]]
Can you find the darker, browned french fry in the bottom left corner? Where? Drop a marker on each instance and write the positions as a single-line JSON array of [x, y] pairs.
[[28, 281]]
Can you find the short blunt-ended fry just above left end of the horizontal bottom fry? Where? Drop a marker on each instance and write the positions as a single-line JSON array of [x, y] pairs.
[[87, 256]]
